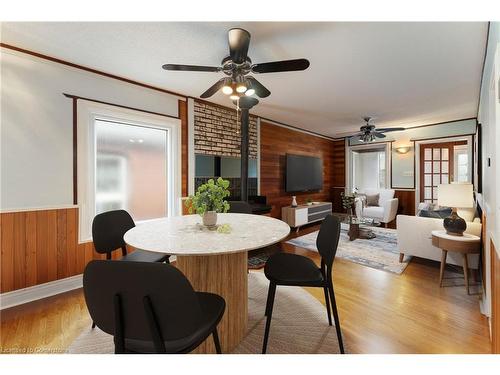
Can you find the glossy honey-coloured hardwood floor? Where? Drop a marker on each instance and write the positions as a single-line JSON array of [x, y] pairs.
[[380, 312]]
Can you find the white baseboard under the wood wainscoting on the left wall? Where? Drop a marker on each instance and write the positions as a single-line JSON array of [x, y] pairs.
[[33, 293]]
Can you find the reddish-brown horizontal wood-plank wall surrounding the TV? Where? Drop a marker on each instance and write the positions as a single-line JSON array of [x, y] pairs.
[[275, 143]]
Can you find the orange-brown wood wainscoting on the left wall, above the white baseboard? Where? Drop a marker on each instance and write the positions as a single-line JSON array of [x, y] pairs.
[[41, 246]]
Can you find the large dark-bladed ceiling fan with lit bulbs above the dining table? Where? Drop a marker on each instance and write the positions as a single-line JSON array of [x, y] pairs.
[[238, 67]]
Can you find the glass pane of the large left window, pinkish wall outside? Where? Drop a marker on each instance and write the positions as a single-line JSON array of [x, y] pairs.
[[131, 169]]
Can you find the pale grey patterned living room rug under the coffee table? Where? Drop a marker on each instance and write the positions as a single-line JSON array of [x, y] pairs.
[[380, 252]]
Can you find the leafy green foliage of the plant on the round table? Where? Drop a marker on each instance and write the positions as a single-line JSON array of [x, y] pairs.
[[209, 197]]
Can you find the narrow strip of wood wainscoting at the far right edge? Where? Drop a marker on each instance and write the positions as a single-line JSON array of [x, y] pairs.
[[495, 300]]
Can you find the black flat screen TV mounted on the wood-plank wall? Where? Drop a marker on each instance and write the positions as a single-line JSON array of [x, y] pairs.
[[303, 173]]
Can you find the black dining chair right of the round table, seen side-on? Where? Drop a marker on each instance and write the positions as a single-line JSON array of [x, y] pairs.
[[297, 270]]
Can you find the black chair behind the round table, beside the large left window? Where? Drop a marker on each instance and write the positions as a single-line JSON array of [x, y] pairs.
[[108, 229]]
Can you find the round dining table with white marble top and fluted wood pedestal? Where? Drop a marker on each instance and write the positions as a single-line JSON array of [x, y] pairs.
[[213, 260]]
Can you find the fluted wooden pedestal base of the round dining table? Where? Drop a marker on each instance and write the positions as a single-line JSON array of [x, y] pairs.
[[225, 275]]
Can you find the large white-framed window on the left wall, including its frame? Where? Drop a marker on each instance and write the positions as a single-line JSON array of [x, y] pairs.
[[127, 159]]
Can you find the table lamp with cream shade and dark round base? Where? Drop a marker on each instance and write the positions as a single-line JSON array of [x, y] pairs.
[[457, 195]]
